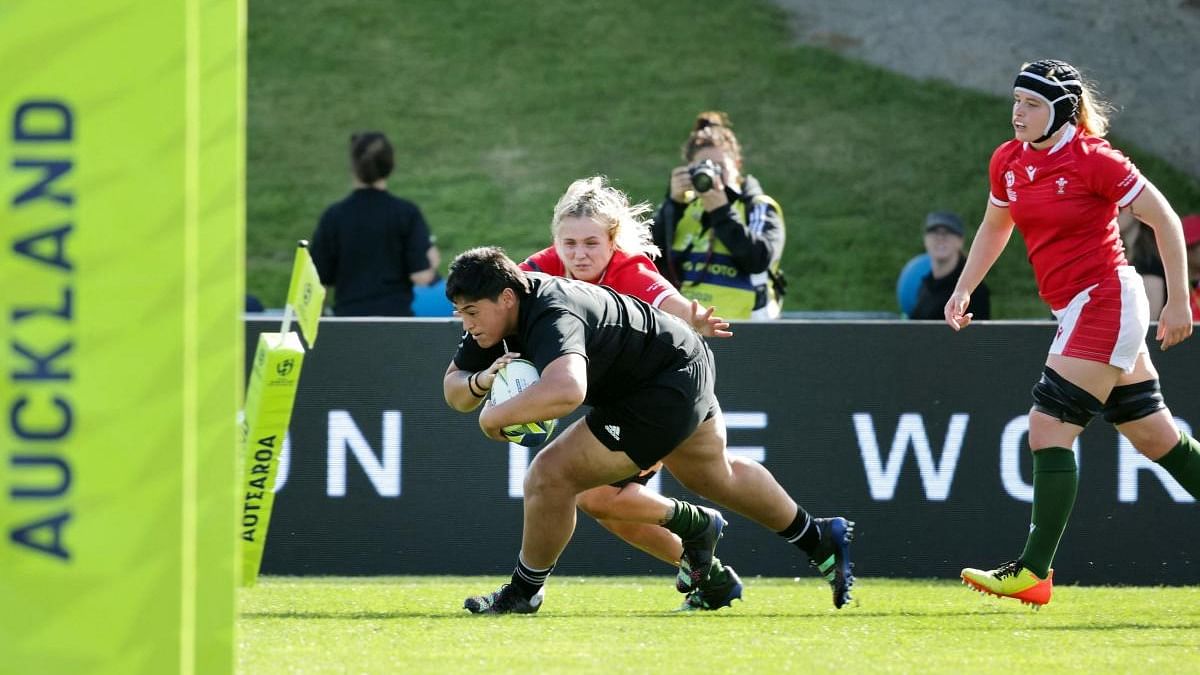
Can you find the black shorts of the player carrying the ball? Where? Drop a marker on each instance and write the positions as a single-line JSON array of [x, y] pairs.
[[652, 422]]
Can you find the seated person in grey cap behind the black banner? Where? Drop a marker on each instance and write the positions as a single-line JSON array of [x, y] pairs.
[[944, 244]]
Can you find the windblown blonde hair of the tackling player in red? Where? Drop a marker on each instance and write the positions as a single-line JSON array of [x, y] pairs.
[[610, 208]]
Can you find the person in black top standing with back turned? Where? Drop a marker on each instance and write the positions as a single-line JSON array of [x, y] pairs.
[[373, 247]]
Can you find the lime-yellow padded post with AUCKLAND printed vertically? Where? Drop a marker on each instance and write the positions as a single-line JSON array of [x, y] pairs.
[[123, 273]]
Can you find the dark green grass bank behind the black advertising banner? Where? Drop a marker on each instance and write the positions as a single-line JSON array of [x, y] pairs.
[[495, 107]]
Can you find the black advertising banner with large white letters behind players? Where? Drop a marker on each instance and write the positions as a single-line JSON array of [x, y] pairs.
[[916, 433]]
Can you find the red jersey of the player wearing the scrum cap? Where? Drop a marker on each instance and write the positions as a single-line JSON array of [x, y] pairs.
[[1065, 200]]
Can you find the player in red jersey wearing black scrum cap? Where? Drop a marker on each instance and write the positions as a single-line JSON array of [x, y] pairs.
[[1061, 184]]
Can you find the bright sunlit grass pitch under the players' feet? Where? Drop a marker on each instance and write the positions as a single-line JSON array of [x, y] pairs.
[[626, 625]]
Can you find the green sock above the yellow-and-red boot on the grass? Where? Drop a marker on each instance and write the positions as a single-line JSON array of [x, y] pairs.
[[1055, 482]]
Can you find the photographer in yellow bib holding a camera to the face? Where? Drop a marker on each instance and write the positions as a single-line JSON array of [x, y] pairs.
[[722, 236]]
